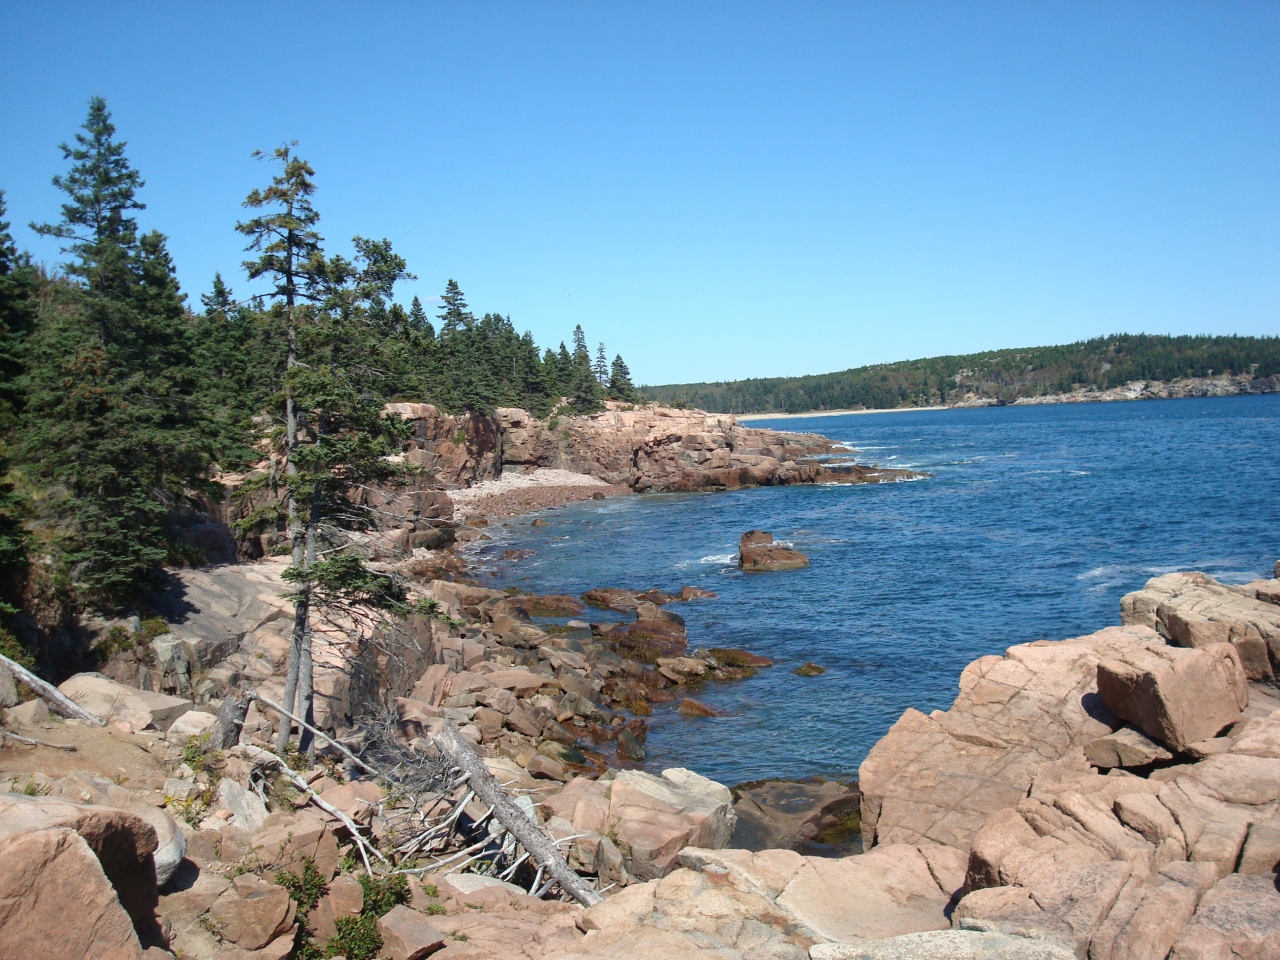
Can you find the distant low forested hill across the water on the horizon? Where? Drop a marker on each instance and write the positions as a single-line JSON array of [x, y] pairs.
[[1005, 374]]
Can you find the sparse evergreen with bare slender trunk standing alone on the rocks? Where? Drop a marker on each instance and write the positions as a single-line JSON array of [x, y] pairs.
[[328, 390]]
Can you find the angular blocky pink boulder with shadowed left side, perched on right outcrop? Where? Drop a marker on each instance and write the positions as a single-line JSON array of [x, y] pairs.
[[1173, 694]]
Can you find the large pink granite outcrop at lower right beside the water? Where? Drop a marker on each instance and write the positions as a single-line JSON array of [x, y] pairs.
[[1119, 792]]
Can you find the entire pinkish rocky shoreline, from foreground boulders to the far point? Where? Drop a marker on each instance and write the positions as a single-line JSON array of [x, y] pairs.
[[1114, 797]]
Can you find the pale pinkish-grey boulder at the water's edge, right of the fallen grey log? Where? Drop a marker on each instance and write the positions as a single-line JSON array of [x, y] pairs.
[[655, 819]]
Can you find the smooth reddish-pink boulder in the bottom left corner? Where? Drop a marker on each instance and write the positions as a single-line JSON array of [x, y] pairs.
[[57, 903]]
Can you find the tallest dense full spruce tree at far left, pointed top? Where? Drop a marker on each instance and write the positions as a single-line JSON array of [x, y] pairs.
[[109, 415]]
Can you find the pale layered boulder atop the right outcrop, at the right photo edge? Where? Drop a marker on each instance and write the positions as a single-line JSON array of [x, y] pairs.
[[1195, 610]]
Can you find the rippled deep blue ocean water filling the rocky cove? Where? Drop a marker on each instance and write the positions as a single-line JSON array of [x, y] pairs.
[[1034, 524]]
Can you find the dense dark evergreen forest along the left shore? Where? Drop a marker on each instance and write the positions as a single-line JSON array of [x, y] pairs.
[[121, 400]]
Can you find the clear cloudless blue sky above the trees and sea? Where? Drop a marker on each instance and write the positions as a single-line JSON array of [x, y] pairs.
[[715, 190]]
